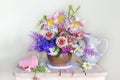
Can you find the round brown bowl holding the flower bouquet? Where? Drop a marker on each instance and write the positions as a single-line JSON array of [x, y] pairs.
[[62, 60]]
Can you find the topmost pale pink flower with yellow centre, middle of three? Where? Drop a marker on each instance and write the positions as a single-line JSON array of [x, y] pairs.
[[59, 17]]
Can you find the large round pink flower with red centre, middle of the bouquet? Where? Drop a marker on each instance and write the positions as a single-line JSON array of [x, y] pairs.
[[61, 41]]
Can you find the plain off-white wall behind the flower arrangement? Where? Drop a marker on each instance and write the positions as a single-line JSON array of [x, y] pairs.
[[18, 18]]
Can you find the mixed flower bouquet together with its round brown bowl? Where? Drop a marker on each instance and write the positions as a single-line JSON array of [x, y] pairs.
[[60, 36]]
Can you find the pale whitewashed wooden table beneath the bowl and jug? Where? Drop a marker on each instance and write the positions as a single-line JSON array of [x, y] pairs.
[[74, 73]]
